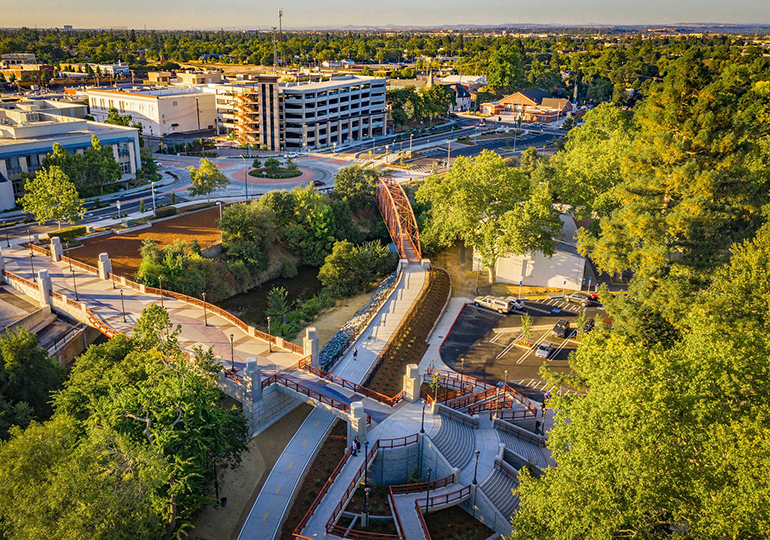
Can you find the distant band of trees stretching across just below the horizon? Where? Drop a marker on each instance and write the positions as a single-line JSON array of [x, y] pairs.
[[603, 67]]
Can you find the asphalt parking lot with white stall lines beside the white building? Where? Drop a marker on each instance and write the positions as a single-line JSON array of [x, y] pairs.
[[482, 342]]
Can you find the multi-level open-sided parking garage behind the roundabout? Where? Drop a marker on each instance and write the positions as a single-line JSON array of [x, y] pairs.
[[302, 116]]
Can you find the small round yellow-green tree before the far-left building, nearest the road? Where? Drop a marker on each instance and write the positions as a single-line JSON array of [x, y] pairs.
[[51, 196]]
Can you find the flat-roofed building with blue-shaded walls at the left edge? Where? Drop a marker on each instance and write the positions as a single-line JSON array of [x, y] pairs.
[[28, 130]]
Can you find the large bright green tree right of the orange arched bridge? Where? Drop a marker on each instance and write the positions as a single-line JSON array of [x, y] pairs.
[[491, 207]]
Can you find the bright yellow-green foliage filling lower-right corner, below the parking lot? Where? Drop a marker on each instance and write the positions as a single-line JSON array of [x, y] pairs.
[[669, 439]]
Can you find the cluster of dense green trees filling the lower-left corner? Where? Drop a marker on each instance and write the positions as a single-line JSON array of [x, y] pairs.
[[130, 449]]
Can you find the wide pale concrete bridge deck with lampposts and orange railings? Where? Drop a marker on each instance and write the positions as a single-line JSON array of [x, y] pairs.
[[105, 302]]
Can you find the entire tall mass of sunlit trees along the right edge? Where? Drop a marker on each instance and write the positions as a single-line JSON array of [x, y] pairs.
[[670, 437]]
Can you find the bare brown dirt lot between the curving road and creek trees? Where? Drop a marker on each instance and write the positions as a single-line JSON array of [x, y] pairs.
[[124, 248]]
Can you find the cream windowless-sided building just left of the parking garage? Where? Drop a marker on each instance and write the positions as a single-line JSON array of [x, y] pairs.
[[161, 111]]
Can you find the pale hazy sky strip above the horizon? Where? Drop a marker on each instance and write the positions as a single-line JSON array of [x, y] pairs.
[[307, 13]]
